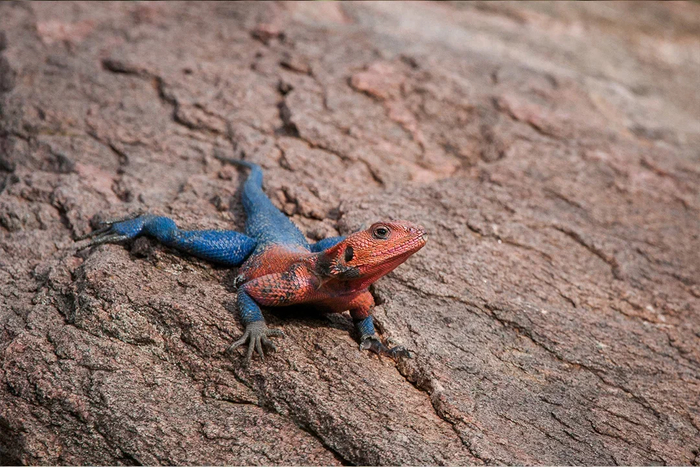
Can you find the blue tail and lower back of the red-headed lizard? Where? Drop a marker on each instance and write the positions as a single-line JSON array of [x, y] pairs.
[[265, 223]]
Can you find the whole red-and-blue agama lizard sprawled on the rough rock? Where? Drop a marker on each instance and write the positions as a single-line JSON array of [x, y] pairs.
[[279, 267]]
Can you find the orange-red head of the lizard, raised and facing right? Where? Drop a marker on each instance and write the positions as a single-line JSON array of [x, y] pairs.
[[365, 256]]
